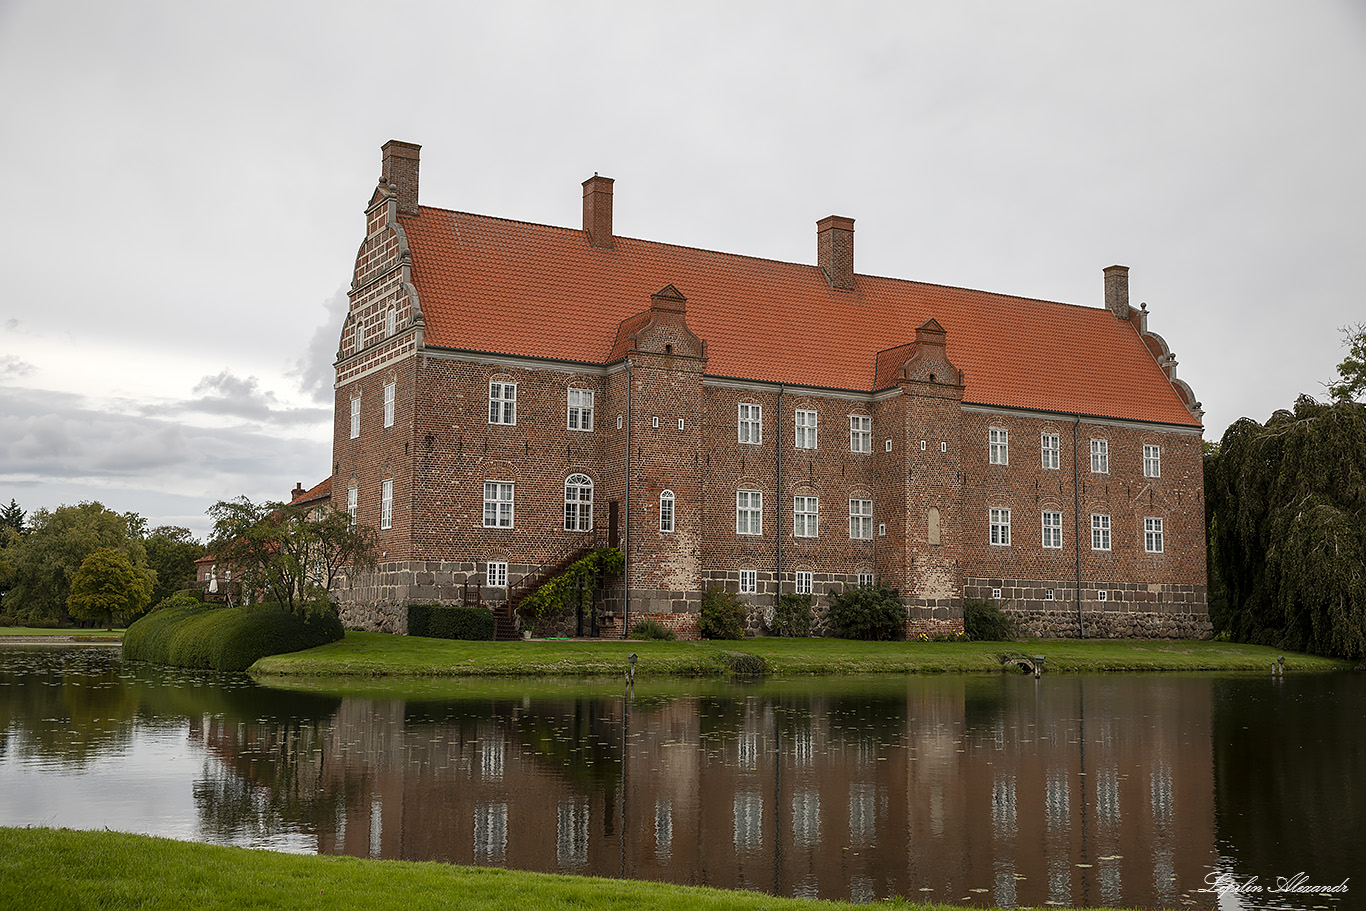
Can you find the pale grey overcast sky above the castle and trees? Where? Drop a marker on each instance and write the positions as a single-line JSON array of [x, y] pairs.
[[185, 186]]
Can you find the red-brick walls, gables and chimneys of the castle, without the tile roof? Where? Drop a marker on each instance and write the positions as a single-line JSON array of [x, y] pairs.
[[915, 446]]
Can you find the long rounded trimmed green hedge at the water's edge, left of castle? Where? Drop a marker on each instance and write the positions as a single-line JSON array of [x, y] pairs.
[[222, 639]]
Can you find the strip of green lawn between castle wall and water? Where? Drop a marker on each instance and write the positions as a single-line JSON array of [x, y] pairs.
[[382, 655]]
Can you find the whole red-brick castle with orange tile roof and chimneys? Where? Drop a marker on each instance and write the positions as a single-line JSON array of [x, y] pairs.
[[510, 395]]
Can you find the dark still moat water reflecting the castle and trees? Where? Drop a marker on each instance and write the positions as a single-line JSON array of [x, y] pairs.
[[976, 790]]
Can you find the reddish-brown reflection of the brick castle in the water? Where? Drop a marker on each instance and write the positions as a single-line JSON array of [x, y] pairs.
[[991, 790]]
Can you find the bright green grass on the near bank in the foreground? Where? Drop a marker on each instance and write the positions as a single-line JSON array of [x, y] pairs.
[[44, 869]]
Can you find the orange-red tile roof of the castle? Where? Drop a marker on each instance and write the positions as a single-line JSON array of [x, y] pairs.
[[512, 288]]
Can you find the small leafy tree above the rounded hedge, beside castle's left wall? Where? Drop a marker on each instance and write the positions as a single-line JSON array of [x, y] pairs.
[[288, 554]]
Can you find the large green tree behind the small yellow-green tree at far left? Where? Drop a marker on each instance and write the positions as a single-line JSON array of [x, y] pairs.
[[58, 543]]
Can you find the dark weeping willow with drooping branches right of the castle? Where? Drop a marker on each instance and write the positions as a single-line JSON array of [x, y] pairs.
[[1287, 524]]
